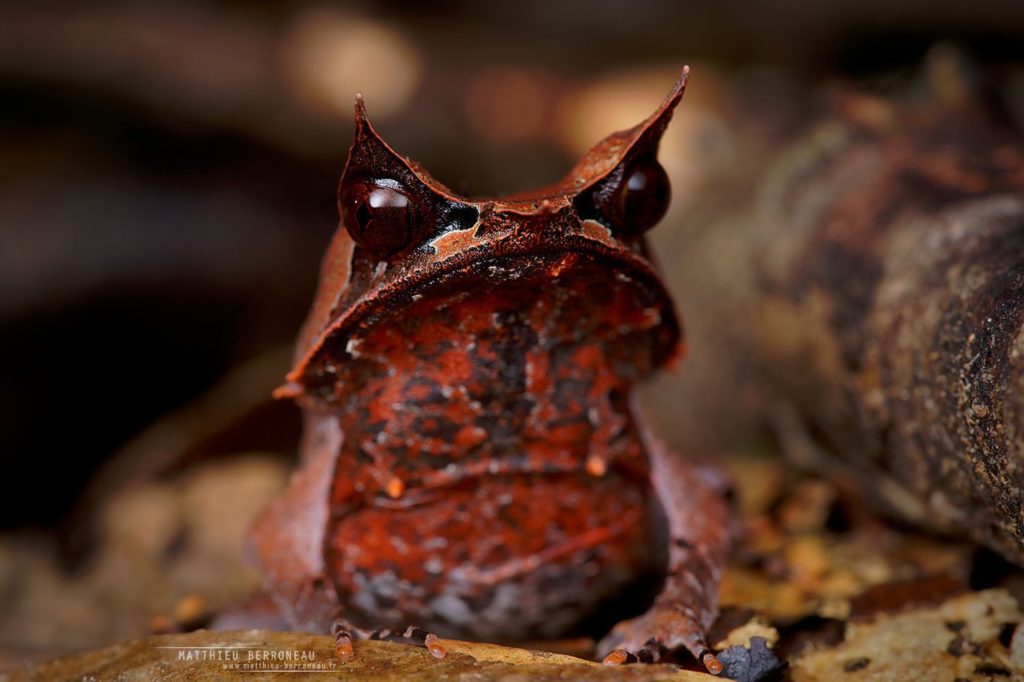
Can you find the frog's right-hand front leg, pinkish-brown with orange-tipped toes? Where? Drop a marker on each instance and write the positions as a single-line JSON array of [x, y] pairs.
[[695, 502]]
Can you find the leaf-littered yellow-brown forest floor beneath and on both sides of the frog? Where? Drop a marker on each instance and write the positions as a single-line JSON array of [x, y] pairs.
[[831, 589]]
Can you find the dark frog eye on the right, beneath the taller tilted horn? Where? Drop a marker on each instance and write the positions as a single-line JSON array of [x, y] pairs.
[[636, 199]]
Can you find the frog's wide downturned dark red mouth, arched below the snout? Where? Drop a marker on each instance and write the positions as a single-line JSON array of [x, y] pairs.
[[591, 291]]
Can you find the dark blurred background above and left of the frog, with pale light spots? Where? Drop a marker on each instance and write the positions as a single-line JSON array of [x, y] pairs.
[[168, 173]]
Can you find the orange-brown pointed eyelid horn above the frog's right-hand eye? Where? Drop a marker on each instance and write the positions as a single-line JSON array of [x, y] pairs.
[[621, 149]]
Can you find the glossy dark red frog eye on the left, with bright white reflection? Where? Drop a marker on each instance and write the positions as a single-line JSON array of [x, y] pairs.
[[381, 219]]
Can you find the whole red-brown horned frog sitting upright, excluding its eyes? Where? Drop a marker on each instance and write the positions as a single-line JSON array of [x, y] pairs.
[[473, 464]]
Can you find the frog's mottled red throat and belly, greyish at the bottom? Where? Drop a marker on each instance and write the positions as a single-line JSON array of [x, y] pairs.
[[483, 501]]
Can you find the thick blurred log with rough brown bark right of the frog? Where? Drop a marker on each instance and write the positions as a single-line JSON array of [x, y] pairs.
[[869, 305]]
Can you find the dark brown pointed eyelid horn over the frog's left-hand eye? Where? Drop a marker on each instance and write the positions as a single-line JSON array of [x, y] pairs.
[[372, 160]]
